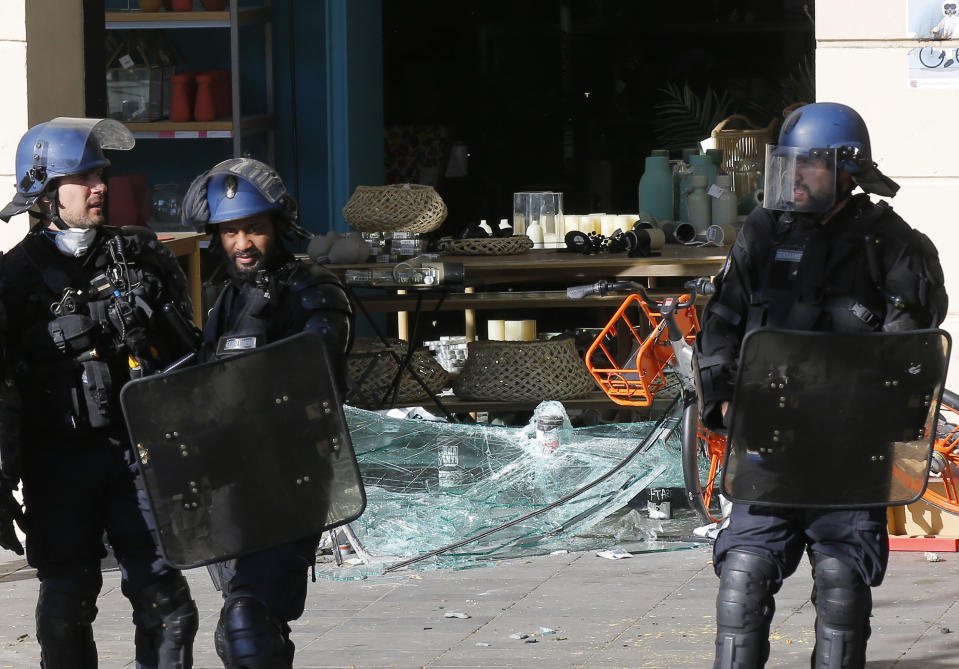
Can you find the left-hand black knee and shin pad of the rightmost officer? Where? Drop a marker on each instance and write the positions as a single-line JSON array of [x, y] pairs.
[[744, 610]]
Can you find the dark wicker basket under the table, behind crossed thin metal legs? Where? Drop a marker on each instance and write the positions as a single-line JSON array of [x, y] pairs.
[[372, 371]]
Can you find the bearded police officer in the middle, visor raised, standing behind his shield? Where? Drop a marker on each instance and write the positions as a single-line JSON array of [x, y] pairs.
[[269, 296]]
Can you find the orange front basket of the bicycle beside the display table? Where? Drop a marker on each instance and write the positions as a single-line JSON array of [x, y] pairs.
[[636, 381]]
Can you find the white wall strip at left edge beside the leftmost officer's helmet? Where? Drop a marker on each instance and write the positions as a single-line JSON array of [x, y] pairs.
[[13, 111]]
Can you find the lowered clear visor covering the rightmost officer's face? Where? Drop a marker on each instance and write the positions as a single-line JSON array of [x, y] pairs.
[[799, 179]]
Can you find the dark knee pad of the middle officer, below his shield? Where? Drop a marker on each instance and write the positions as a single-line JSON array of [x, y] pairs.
[[249, 636]]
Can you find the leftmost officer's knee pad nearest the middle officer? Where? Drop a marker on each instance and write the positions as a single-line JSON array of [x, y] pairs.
[[166, 620]]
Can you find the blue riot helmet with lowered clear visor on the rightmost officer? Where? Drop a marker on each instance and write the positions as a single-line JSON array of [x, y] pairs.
[[817, 139]]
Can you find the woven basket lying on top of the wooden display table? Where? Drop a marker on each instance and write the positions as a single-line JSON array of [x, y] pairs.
[[395, 208]]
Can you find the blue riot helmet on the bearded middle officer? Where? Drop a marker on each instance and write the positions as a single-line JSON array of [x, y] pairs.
[[238, 188]]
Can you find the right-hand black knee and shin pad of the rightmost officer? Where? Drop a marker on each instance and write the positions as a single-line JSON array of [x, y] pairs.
[[843, 603]]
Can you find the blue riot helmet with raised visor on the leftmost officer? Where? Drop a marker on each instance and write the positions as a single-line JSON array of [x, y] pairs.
[[58, 148]]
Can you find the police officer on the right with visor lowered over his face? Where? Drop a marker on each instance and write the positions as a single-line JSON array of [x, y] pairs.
[[814, 257]]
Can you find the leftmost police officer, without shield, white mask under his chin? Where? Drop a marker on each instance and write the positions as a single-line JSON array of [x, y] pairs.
[[87, 307]]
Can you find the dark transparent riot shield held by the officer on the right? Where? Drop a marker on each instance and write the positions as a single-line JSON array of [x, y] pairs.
[[834, 420]]
